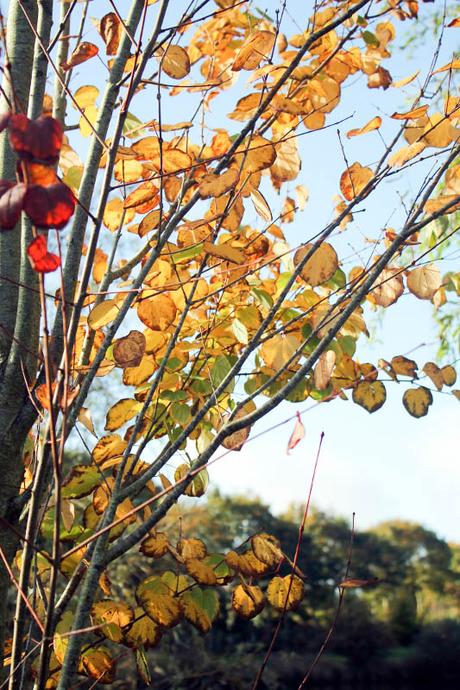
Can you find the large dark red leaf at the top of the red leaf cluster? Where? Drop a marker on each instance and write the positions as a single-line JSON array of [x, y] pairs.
[[40, 139]]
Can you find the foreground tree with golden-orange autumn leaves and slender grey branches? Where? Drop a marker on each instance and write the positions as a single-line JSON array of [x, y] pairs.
[[169, 271]]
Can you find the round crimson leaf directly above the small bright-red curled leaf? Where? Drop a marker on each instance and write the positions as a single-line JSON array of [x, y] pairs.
[[51, 206]]
